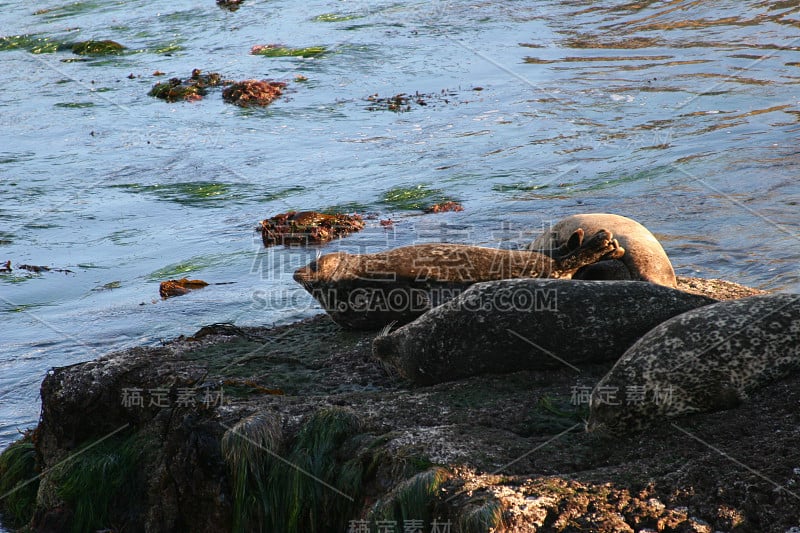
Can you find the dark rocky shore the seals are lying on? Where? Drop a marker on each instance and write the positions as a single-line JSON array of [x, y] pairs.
[[299, 428]]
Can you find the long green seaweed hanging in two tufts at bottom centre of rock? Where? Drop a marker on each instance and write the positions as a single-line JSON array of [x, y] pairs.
[[313, 489]]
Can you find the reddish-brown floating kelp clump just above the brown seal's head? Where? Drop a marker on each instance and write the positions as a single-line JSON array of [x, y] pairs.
[[307, 227]]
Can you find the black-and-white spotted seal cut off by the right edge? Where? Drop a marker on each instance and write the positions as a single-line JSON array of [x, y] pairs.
[[706, 359]]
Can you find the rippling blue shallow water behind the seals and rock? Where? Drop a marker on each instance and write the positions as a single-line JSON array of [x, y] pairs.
[[682, 115]]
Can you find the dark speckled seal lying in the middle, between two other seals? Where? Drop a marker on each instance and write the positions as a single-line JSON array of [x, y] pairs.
[[525, 324]]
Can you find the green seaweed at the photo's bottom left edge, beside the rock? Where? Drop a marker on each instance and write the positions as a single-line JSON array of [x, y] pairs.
[[19, 483]]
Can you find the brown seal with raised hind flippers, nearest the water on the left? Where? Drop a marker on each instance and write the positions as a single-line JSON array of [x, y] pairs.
[[368, 291]]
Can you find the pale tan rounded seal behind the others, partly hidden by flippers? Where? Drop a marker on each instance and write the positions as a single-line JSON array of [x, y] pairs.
[[644, 257]]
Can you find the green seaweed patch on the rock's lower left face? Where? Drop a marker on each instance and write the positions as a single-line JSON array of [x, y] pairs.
[[92, 483]]
